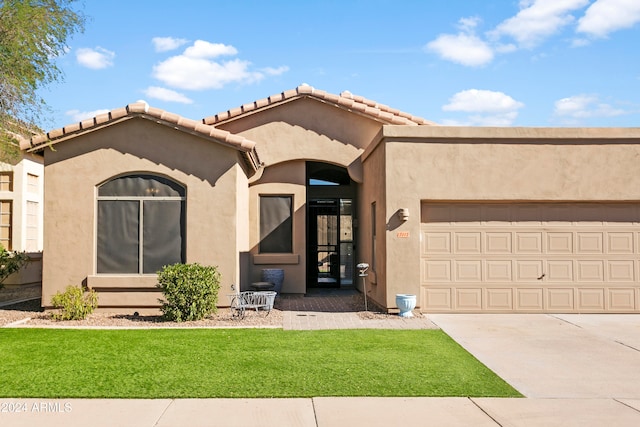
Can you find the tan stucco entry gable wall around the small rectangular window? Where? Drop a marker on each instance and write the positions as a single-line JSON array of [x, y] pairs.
[[288, 136]]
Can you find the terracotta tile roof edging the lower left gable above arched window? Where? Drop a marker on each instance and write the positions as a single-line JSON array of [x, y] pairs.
[[142, 110]]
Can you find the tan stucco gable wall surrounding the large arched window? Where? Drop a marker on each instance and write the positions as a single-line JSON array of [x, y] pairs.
[[208, 170]]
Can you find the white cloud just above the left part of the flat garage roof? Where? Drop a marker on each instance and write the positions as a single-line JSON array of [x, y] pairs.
[[489, 108]]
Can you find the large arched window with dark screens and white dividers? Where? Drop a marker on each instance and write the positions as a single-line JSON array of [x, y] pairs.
[[140, 224]]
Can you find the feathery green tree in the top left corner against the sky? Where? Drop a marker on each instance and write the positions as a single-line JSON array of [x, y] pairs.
[[33, 34]]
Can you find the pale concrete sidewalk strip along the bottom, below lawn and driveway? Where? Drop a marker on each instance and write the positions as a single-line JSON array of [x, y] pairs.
[[321, 412]]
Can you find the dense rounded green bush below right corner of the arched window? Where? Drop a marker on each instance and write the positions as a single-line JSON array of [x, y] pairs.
[[190, 291]]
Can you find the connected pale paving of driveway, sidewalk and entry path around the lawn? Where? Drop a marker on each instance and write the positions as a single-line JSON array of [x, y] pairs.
[[576, 370]]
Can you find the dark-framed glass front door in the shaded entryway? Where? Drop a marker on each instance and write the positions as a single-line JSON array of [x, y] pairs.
[[330, 243]]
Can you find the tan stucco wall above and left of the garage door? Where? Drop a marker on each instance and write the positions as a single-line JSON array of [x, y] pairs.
[[487, 164]]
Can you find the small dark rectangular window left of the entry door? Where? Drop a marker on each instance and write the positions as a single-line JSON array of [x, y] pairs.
[[276, 224]]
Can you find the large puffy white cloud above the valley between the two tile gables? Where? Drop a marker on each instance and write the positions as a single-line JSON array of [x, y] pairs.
[[196, 69]]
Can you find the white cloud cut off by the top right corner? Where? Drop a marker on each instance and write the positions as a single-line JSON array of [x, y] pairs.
[[606, 16]]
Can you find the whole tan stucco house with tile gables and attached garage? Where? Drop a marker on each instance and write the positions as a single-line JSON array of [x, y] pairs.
[[312, 183]]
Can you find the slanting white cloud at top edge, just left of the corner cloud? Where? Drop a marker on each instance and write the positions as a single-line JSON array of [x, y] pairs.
[[538, 20]]
